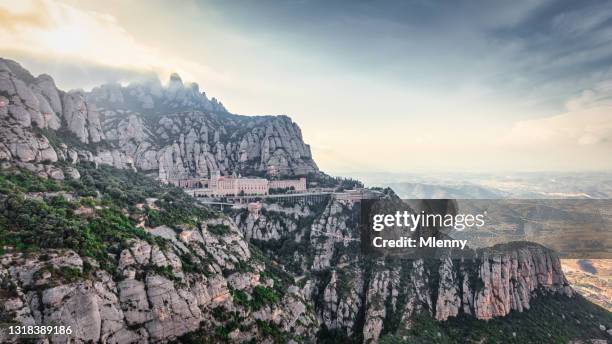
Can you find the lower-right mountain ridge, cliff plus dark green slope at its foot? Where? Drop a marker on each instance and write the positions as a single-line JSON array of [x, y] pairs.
[[360, 299]]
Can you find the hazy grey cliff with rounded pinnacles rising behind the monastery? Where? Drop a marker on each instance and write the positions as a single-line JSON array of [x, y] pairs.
[[171, 131]]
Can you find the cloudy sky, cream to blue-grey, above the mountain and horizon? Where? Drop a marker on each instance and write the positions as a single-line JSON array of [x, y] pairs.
[[379, 86]]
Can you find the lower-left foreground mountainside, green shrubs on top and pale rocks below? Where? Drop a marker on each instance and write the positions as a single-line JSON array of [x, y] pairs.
[[120, 278]]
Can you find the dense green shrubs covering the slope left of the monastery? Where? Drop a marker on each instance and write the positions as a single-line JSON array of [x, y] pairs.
[[28, 223]]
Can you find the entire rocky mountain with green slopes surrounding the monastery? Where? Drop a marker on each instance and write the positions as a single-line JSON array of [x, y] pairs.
[[91, 237]]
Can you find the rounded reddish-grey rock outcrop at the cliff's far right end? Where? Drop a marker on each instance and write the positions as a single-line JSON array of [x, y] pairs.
[[508, 277]]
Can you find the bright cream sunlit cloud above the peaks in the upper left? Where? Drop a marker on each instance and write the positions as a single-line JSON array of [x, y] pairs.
[[56, 31]]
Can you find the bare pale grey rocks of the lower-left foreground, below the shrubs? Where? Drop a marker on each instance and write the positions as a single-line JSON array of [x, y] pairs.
[[155, 300]]
